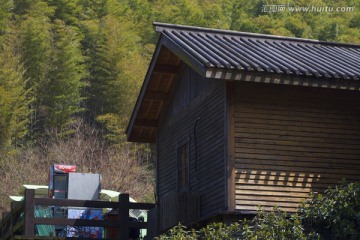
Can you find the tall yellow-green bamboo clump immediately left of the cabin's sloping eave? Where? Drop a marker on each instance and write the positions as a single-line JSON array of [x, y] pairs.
[[116, 74]]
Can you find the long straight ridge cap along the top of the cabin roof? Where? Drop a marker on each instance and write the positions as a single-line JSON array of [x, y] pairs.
[[160, 27]]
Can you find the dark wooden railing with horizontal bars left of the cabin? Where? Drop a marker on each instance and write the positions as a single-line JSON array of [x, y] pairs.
[[21, 221]]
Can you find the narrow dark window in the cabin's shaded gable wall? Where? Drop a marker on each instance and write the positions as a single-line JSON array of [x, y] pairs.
[[183, 167]]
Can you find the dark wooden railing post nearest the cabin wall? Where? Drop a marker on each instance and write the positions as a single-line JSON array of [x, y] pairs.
[[123, 217]]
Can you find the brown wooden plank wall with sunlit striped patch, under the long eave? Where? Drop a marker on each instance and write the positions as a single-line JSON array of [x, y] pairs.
[[290, 140]]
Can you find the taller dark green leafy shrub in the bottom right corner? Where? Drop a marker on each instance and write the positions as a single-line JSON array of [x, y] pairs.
[[337, 211]]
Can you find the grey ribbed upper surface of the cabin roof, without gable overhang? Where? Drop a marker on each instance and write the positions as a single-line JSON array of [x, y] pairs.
[[230, 50]]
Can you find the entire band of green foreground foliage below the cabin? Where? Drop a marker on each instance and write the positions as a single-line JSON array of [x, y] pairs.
[[334, 214]]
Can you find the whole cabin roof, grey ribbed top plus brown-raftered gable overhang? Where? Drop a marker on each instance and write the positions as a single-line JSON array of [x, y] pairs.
[[238, 56]]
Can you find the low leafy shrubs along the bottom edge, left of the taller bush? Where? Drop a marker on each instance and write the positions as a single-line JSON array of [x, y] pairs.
[[276, 225]]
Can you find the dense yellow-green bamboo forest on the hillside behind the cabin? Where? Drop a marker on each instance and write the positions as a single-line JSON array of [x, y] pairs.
[[88, 58]]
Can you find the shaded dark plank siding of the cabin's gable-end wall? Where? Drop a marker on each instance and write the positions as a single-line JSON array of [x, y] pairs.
[[195, 116]]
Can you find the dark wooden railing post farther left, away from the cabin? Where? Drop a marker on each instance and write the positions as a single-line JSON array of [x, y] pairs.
[[29, 213]]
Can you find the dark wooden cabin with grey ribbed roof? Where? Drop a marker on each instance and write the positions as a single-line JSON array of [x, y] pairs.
[[243, 120]]
